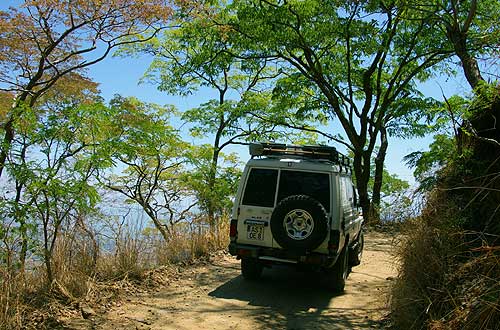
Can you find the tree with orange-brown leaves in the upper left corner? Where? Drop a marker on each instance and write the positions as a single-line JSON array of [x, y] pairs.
[[45, 40]]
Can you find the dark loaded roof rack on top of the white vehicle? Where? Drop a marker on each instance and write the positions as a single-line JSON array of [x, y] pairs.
[[318, 152]]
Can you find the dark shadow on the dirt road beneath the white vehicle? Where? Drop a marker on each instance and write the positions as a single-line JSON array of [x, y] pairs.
[[288, 299]]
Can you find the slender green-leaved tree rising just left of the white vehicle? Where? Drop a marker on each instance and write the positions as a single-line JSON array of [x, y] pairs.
[[196, 56]]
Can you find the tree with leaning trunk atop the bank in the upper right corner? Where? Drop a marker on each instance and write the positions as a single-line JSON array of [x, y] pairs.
[[471, 28]]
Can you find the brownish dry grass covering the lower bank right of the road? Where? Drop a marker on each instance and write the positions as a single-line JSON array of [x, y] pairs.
[[448, 278]]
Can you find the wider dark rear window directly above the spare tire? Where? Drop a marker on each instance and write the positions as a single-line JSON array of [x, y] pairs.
[[315, 185]]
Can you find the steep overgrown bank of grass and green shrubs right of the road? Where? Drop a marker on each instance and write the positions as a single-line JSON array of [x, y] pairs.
[[450, 262]]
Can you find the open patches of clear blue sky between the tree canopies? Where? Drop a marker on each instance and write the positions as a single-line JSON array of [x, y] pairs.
[[121, 76]]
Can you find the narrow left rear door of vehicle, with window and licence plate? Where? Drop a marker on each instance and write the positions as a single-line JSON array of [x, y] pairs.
[[256, 207]]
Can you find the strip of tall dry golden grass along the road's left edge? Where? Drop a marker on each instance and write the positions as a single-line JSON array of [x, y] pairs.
[[90, 274]]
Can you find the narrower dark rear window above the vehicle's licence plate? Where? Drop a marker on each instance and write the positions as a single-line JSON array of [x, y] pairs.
[[261, 187]]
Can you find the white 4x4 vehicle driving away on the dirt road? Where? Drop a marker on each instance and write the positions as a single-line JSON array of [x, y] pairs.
[[296, 205]]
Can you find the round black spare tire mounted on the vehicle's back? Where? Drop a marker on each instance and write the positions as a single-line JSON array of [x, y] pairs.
[[299, 223]]
